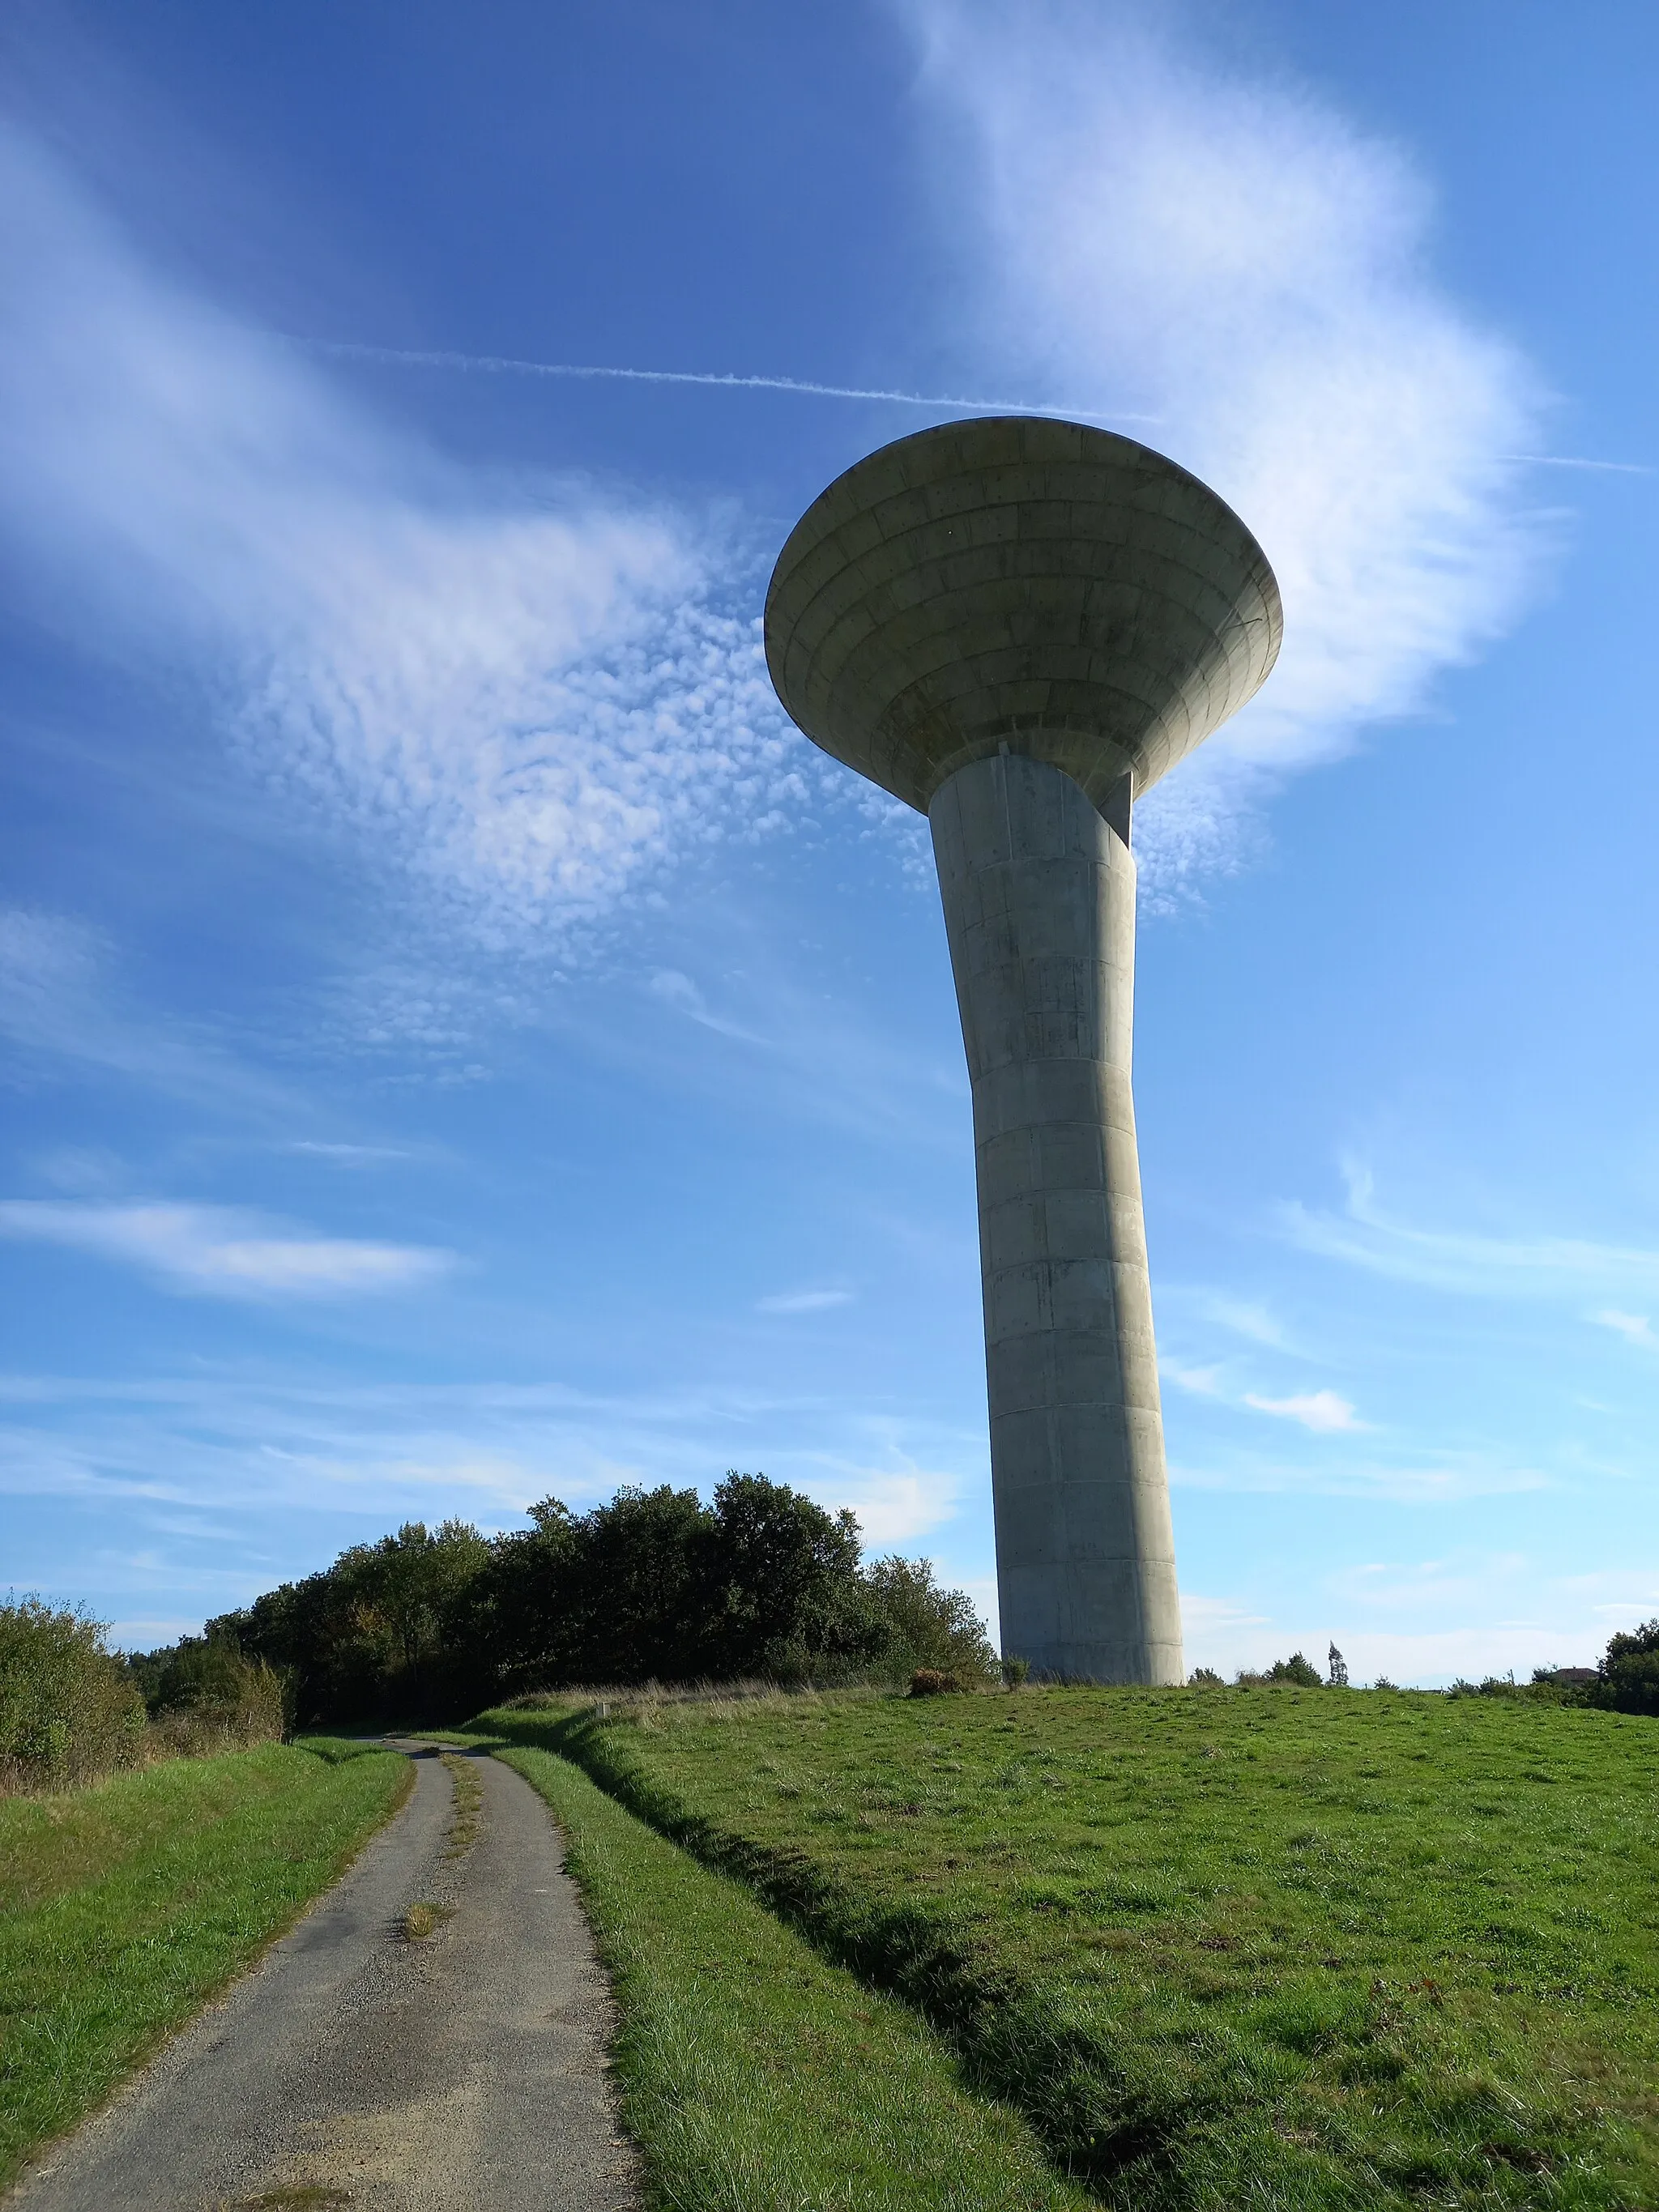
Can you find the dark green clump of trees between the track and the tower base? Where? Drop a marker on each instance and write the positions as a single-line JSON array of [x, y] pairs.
[[654, 1585]]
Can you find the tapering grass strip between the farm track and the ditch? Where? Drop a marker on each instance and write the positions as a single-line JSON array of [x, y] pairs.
[[755, 2076]]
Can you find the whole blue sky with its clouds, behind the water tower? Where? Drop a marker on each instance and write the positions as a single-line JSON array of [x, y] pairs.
[[463, 1045]]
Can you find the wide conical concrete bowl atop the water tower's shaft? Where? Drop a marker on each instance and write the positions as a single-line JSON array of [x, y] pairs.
[[1025, 583]]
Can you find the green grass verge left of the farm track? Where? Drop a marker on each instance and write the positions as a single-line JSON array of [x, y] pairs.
[[125, 1906]]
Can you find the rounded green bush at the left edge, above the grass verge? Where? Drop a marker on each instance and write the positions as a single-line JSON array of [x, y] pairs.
[[67, 1707]]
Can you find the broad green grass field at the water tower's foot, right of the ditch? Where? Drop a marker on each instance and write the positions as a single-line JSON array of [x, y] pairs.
[[1253, 1948]]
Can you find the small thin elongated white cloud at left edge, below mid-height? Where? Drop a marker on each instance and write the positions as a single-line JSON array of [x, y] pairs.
[[222, 1251]]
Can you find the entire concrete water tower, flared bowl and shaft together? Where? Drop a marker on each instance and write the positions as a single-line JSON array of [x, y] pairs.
[[1019, 627]]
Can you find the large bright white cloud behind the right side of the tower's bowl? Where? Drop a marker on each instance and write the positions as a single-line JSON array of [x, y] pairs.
[[1151, 231]]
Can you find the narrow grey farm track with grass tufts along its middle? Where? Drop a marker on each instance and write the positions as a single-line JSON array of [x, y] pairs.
[[366, 2067]]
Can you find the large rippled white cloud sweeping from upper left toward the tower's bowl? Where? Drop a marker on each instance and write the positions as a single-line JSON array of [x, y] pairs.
[[530, 698]]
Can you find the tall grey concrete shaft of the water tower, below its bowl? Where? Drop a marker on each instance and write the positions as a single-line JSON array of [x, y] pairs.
[[1041, 915]]
